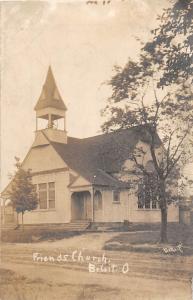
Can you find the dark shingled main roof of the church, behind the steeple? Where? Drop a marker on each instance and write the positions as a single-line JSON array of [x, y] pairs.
[[98, 158]]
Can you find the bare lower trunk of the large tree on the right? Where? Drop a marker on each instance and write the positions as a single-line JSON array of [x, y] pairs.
[[163, 206]]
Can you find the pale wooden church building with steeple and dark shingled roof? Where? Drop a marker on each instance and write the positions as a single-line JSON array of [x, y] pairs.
[[84, 180]]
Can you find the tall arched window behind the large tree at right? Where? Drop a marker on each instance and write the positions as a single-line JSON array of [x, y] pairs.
[[147, 193]]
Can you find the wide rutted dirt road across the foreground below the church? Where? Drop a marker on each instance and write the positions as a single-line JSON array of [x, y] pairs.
[[149, 277]]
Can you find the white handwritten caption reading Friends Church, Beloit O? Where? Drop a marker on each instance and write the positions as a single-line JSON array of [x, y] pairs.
[[95, 264]]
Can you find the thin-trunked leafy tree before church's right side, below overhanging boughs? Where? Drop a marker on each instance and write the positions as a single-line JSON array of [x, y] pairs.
[[167, 115]]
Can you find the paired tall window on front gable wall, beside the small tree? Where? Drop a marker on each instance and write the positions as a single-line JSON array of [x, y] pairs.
[[46, 195]]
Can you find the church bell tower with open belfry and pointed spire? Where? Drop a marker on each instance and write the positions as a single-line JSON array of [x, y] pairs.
[[51, 108]]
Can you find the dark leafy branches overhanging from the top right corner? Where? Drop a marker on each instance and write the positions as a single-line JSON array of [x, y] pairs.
[[169, 52]]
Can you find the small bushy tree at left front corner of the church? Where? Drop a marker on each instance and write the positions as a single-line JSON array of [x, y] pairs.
[[22, 193]]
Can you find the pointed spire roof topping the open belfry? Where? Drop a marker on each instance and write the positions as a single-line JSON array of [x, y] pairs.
[[50, 96]]
